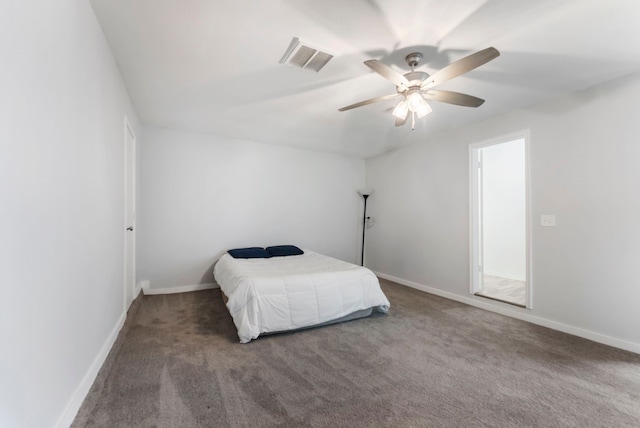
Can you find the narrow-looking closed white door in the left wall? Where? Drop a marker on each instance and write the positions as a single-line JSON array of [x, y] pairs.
[[129, 215]]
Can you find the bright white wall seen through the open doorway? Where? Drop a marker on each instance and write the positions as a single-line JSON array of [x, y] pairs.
[[503, 210]]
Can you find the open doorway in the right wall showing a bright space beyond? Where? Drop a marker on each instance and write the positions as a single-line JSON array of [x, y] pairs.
[[500, 241]]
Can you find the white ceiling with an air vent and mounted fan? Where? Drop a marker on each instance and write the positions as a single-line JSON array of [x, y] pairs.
[[213, 65]]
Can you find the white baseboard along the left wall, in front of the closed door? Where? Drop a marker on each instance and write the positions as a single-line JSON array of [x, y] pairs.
[[71, 410]]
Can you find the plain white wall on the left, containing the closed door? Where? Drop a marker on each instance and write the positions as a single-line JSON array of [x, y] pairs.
[[61, 207]]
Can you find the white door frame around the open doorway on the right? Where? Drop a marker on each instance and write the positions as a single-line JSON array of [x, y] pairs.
[[475, 253]]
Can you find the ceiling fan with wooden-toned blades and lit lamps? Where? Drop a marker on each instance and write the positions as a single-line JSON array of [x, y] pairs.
[[417, 86]]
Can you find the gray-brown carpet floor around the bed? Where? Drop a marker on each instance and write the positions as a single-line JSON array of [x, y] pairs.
[[430, 362]]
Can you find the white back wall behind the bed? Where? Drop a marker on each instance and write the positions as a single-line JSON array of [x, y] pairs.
[[202, 194]]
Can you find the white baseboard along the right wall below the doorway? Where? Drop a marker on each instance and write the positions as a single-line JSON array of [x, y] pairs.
[[519, 313]]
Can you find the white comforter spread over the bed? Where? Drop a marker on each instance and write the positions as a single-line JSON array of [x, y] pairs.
[[285, 293]]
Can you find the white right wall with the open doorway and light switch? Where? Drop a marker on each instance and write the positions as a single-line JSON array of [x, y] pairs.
[[584, 169]]
